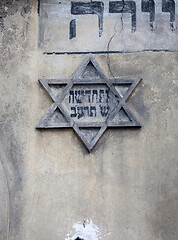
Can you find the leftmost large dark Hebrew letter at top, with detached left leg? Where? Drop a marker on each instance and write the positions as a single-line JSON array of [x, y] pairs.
[[82, 8]]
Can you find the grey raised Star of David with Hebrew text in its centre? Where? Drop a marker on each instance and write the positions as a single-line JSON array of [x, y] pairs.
[[89, 102]]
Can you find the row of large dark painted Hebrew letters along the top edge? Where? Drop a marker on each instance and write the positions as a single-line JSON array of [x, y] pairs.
[[147, 6]]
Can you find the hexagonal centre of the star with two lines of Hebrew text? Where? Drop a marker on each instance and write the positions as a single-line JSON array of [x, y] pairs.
[[90, 103]]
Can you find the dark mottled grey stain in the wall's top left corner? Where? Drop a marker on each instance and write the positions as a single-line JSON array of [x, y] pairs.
[[14, 34]]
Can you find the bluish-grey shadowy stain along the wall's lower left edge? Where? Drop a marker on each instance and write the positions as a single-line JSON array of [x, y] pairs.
[[10, 186]]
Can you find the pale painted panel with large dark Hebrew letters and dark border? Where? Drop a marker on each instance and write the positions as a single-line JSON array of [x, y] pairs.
[[88, 26]]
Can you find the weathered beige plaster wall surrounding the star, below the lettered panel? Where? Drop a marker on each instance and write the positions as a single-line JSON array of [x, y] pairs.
[[48, 182]]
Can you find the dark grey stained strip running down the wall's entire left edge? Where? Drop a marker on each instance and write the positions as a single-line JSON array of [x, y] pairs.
[[12, 112]]
